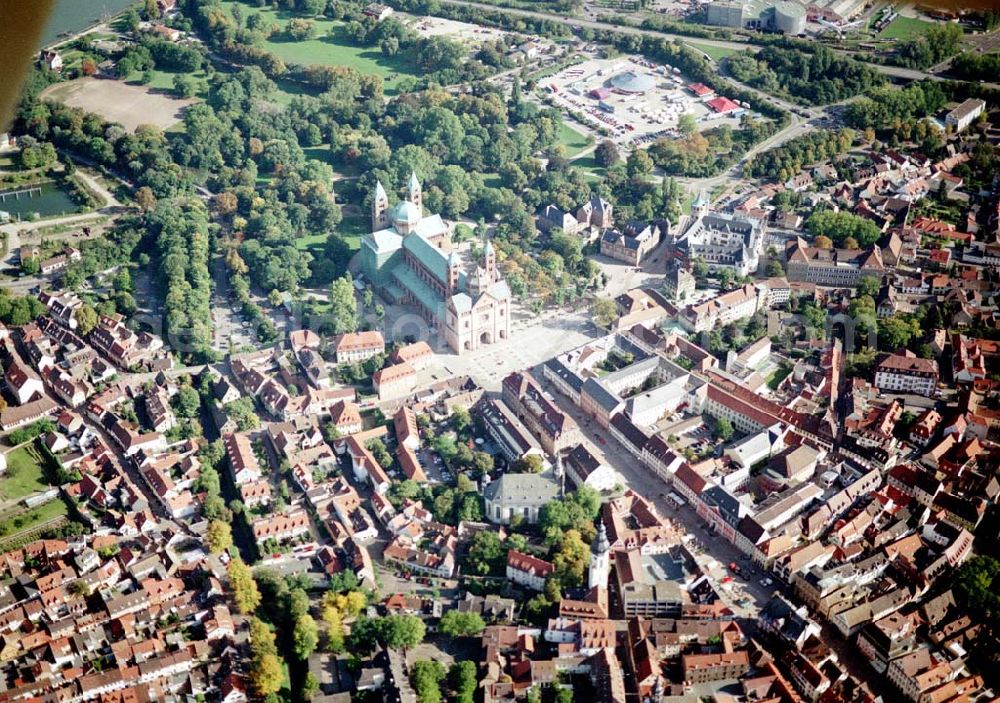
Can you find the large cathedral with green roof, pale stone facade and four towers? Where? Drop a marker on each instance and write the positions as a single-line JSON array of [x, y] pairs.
[[407, 258]]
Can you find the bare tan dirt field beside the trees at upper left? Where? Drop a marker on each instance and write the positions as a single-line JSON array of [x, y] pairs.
[[128, 105]]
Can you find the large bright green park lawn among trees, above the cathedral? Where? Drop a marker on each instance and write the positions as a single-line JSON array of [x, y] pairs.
[[330, 46]]
